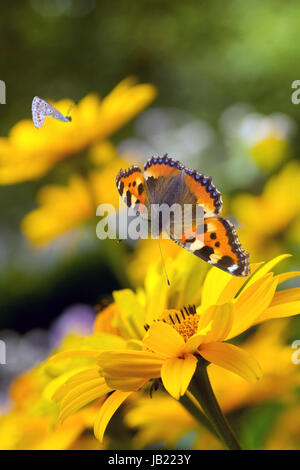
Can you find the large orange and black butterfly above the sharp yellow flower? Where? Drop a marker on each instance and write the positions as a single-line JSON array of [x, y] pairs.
[[167, 181]]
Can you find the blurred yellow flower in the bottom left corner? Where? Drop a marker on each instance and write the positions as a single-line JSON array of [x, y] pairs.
[[24, 429]]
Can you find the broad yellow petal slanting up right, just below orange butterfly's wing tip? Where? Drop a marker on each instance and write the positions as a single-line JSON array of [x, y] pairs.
[[251, 304]]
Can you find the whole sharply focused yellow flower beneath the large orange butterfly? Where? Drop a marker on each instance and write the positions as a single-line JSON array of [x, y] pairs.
[[175, 339]]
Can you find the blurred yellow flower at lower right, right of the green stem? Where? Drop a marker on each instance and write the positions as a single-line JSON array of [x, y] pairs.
[[280, 376]]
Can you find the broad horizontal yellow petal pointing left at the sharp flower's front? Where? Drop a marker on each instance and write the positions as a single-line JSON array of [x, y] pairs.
[[127, 363]]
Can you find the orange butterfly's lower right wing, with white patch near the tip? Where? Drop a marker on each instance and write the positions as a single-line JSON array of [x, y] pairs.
[[218, 244]]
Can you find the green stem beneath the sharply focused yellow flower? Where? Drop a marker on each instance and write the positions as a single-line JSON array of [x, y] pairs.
[[201, 389]]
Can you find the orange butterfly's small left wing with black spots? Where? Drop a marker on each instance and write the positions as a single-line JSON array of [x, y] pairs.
[[131, 187]]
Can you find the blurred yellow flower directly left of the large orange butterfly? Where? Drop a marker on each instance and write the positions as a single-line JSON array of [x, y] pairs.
[[62, 208]]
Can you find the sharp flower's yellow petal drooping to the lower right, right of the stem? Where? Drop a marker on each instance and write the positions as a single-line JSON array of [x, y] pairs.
[[232, 358]]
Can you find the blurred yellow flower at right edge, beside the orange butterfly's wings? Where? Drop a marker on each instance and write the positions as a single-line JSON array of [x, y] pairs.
[[275, 212]]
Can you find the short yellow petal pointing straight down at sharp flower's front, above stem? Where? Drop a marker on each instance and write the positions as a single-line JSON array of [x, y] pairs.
[[176, 374]]
